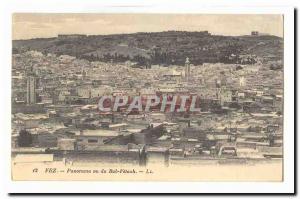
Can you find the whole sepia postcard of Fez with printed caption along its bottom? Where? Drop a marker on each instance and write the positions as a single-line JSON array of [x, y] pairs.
[[159, 97]]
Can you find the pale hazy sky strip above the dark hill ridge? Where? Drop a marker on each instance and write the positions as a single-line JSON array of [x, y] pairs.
[[26, 26]]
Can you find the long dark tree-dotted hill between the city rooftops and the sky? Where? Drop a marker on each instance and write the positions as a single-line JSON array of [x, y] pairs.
[[170, 47]]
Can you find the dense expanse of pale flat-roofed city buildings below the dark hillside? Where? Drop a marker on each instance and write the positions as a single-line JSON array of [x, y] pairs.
[[55, 112]]
